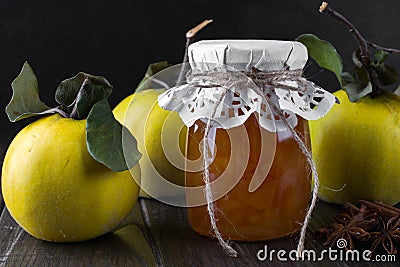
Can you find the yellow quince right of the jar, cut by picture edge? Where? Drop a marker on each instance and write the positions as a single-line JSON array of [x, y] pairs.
[[356, 147]]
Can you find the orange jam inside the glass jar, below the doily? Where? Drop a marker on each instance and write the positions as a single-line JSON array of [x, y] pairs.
[[277, 208]]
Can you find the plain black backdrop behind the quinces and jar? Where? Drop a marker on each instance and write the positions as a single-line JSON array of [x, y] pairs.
[[118, 39]]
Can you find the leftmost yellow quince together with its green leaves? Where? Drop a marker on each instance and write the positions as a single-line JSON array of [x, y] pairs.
[[64, 176]]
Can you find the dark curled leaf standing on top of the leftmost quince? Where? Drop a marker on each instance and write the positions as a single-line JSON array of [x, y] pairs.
[[68, 89]]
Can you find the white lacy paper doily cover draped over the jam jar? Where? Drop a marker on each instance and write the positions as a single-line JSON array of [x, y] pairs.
[[198, 100]]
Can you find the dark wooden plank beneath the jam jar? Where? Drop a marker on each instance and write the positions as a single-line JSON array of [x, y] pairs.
[[180, 246]]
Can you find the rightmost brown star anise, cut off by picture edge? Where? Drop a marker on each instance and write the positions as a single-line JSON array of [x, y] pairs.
[[387, 235]]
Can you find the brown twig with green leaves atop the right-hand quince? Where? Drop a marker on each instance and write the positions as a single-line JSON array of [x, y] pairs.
[[370, 73]]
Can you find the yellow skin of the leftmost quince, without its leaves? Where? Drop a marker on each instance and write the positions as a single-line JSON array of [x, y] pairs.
[[56, 191]]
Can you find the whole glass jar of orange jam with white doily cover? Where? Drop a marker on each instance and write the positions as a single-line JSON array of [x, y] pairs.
[[244, 100]]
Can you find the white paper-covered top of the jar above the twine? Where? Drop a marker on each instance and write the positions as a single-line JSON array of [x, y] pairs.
[[265, 55]]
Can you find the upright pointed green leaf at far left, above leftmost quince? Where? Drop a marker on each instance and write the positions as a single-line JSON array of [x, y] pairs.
[[25, 101]]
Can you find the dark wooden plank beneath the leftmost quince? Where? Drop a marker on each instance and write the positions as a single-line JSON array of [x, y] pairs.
[[126, 247]]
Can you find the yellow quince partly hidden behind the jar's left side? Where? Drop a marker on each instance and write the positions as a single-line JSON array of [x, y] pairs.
[[161, 136]]
